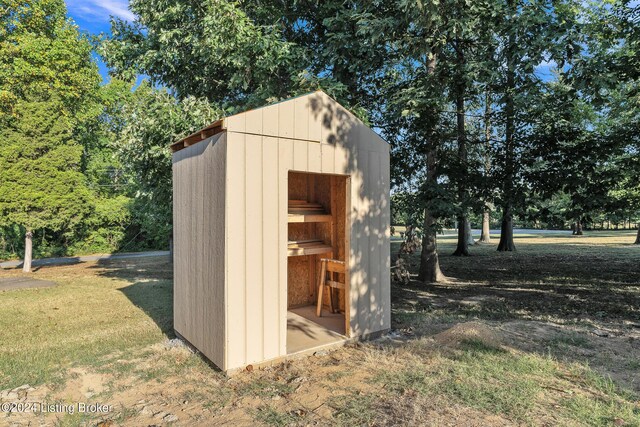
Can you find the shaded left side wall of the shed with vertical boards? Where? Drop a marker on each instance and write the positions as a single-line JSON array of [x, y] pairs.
[[199, 251]]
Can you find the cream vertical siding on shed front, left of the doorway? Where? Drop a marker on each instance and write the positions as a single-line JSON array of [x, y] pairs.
[[257, 247]]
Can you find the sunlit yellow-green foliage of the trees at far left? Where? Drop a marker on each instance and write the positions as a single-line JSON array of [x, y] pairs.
[[58, 177]]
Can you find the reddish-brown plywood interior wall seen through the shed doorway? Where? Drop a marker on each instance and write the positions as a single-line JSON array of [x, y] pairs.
[[303, 271]]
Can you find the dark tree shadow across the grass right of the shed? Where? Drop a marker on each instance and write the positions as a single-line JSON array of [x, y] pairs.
[[583, 286]]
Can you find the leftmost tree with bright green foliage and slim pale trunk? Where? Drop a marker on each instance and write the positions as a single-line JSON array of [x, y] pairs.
[[47, 83]]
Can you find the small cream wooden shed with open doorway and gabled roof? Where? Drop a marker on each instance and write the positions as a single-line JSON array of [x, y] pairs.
[[259, 200]]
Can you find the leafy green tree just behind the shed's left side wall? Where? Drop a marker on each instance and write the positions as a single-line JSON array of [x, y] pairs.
[[154, 120]]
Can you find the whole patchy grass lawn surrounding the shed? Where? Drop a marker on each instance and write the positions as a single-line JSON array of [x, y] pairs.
[[548, 335]]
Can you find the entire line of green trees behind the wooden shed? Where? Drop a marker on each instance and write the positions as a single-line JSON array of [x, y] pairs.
[[478, 129]]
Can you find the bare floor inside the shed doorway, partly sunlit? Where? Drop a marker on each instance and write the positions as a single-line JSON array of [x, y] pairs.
[[306, 331]]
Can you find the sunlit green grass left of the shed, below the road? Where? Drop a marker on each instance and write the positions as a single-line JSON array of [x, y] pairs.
[[83, 321]]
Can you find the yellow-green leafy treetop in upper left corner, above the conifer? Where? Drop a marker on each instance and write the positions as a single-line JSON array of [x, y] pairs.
[[42, 53]]
